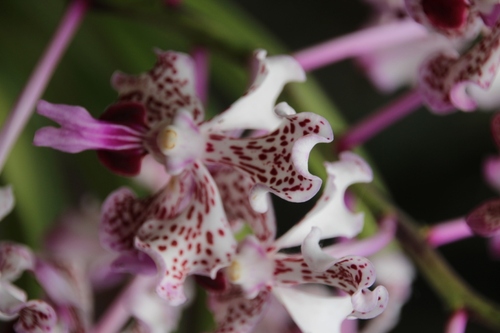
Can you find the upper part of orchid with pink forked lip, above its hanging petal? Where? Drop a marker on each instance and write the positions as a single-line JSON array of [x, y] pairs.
[[158, 113]]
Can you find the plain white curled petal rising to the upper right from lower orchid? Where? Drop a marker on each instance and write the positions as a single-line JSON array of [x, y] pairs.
[[330, 213]]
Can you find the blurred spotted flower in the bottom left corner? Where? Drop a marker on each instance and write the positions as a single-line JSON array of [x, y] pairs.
[[34, 315]]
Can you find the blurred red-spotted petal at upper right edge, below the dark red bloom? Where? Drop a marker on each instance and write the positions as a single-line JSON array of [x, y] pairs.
[[444, 78]]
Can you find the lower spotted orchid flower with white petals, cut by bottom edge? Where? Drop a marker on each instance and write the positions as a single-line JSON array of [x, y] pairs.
[[259, 270]]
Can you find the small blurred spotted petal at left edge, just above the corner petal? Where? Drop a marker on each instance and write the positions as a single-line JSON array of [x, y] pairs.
[[14, 260]]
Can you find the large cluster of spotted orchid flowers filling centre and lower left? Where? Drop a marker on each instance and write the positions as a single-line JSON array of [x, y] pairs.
[[217, 180]]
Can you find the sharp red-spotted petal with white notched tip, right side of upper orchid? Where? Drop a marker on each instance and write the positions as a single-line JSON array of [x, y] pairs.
[[276, 162]]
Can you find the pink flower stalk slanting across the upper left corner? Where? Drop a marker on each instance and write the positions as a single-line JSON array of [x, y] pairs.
[[40, 77]]
